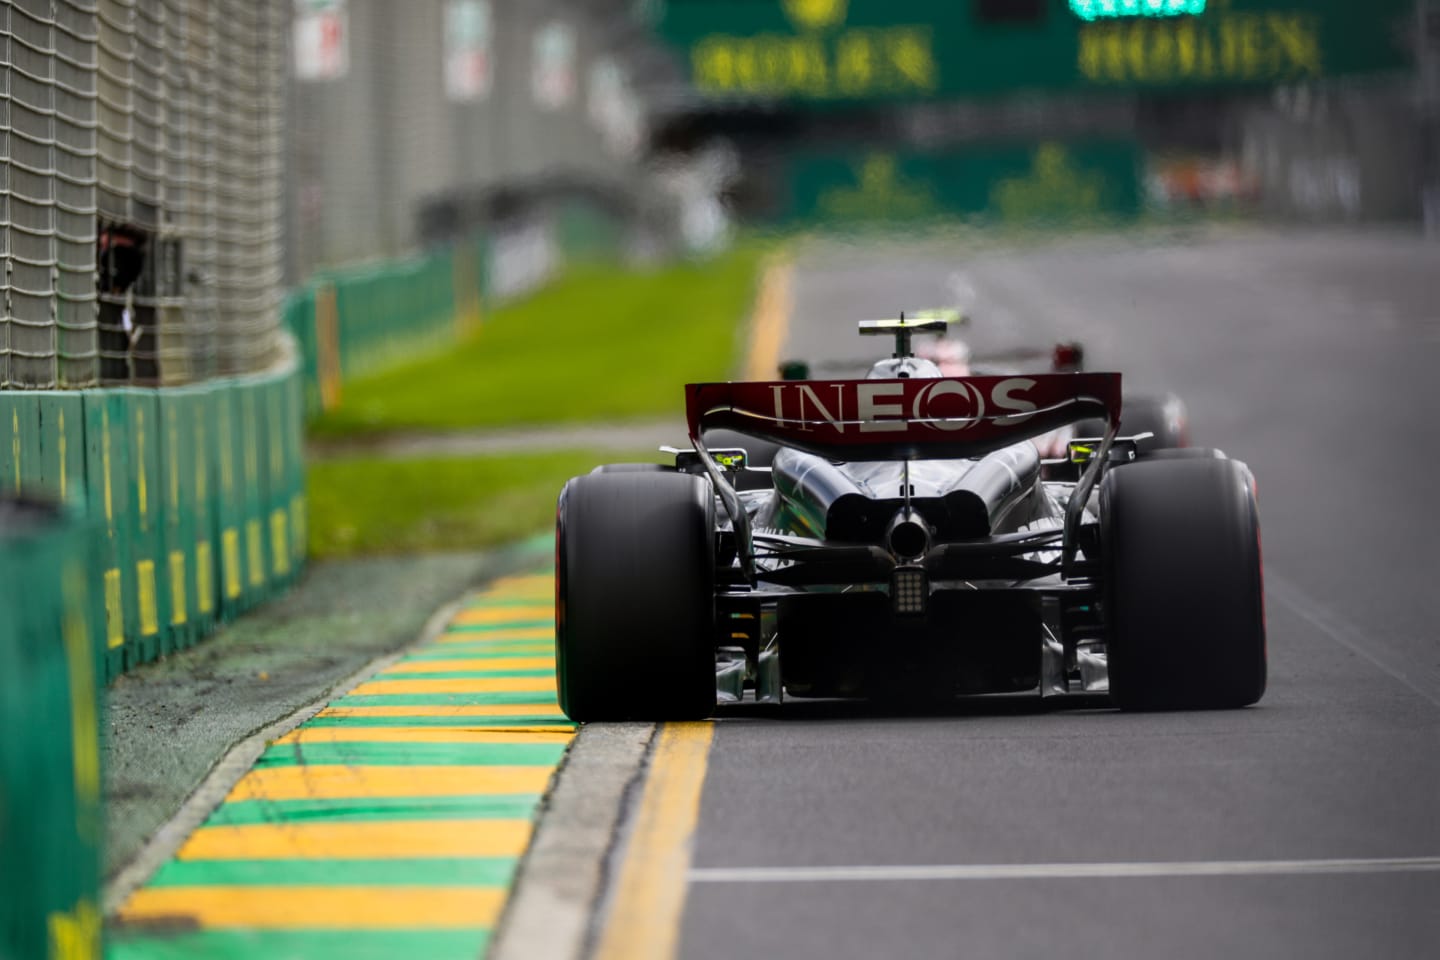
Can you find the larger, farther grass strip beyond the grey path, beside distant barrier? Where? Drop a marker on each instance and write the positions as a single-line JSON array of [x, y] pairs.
[[597, 346]]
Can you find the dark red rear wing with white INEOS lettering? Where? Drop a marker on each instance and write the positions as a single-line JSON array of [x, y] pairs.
[[904, 420]]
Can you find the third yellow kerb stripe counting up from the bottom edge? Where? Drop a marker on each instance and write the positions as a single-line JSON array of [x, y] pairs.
[[335, 782]]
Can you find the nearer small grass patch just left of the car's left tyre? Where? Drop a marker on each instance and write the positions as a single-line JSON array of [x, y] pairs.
[[378, 507]]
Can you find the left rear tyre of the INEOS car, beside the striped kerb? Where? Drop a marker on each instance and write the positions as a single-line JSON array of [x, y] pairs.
[[636, 598]]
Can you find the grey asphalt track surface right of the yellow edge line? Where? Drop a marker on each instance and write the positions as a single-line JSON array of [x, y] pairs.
[[1315, 358]]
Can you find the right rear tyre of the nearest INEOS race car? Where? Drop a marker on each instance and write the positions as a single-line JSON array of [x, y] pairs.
[[1184, 604]]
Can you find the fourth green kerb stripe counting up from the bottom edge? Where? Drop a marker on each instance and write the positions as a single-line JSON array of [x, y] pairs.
[[414, 755]]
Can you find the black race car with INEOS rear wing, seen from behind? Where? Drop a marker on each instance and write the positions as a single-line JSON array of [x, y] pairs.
[[908, 548]]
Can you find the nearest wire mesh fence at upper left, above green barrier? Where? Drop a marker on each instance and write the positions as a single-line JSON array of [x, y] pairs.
[[142, 196]]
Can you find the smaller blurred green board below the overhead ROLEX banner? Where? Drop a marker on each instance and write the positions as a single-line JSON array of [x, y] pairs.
[[1049, 182]]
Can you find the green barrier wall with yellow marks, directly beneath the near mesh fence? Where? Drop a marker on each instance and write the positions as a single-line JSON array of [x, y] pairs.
[[195, 500]]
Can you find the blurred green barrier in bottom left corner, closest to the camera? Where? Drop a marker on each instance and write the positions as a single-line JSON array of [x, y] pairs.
[[50, 683]]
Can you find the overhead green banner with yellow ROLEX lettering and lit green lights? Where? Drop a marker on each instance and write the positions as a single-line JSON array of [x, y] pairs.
[[849, 51]]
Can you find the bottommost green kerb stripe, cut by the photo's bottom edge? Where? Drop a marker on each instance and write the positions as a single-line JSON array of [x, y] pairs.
[[299, 945]]
